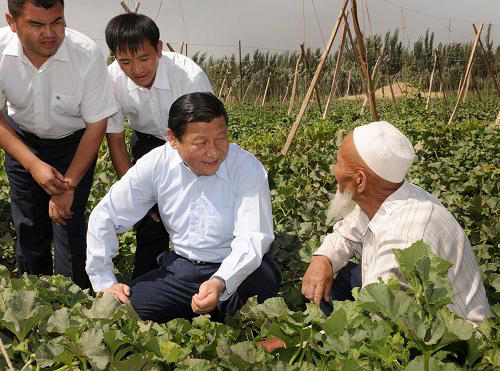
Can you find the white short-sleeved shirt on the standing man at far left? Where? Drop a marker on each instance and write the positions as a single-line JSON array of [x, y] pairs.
[[70, 89]]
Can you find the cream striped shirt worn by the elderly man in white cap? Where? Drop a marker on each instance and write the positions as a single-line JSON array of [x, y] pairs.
[[408, 215]]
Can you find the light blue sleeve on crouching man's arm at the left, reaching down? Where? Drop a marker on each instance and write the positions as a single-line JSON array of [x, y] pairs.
[[127, 202]]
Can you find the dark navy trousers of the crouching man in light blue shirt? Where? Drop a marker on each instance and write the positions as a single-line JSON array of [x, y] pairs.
[[165, 293]]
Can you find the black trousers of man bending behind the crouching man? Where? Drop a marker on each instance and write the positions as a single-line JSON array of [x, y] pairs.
[[151, 237]]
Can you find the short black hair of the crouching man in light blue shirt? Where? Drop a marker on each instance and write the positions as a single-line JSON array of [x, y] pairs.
[[194, 107]]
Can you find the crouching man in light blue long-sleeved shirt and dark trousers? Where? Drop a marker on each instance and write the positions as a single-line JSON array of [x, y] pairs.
[[214, 201]]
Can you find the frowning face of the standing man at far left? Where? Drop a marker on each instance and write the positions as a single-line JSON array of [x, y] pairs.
[[40, 30]]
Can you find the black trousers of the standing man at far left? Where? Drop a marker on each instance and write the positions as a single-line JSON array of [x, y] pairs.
[[29, 205]]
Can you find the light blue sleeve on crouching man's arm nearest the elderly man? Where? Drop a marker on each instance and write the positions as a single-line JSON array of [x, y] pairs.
[[253, 227]]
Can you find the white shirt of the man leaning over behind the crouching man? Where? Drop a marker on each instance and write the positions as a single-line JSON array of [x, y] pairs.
[[147, 109]]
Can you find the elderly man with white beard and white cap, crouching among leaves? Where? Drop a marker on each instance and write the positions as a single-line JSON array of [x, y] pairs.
[[381, 213]]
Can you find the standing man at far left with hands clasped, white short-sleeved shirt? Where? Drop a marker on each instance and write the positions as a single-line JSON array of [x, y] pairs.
[[58, 98]]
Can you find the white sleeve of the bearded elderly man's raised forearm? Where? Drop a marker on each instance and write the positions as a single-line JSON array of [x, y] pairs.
[[344, 242]]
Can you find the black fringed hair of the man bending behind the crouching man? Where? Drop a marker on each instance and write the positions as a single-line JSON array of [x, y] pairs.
[[127, 32]]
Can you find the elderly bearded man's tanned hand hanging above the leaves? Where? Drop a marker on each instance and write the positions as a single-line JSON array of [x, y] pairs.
[[317, 282]]
